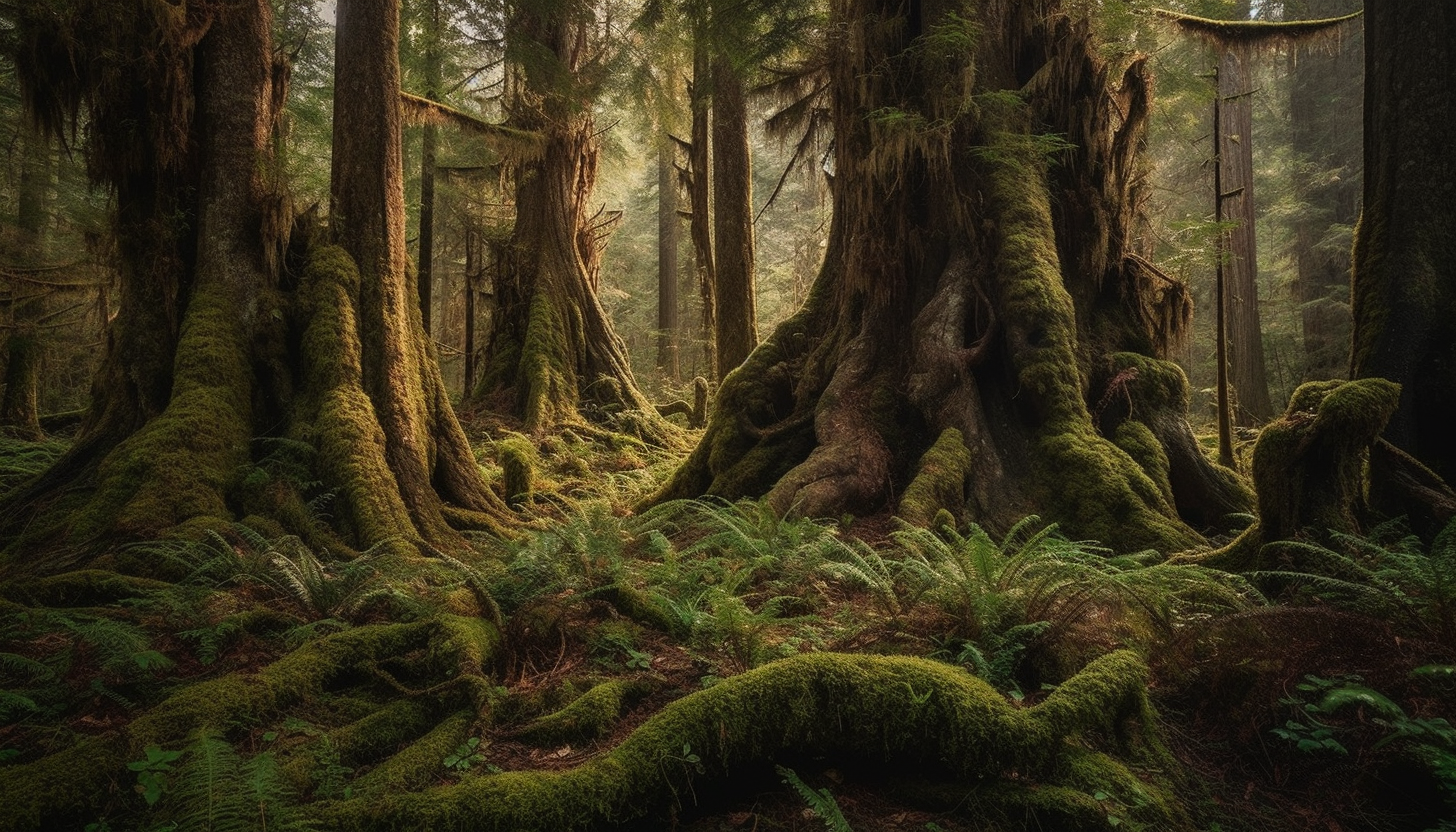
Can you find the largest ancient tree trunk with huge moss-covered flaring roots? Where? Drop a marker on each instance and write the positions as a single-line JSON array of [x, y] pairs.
[[979, 276]]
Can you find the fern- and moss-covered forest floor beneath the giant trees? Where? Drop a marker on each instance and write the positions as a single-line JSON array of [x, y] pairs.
[[1313, 699]]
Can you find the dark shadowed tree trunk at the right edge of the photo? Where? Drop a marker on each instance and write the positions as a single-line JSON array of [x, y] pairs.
[[1404, 298]]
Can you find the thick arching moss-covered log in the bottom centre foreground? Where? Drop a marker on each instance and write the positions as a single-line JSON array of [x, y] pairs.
[[867, 707]]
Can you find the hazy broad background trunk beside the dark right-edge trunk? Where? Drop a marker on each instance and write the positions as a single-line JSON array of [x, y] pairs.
[[1324, 109]]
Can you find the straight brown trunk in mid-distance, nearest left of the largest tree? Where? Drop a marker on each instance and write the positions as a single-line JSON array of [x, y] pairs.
[[733, 219]]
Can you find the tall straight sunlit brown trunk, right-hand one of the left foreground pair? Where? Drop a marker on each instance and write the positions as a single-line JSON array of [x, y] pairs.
[[424, 448]]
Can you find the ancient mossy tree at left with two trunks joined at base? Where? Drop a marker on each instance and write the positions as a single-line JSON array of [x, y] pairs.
[[232, 348]]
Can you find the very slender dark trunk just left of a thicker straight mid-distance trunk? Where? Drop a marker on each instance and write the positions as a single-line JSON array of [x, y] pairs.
[[701, 203]]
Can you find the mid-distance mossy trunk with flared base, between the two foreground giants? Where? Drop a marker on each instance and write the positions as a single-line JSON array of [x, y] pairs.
[[554, 358]]
